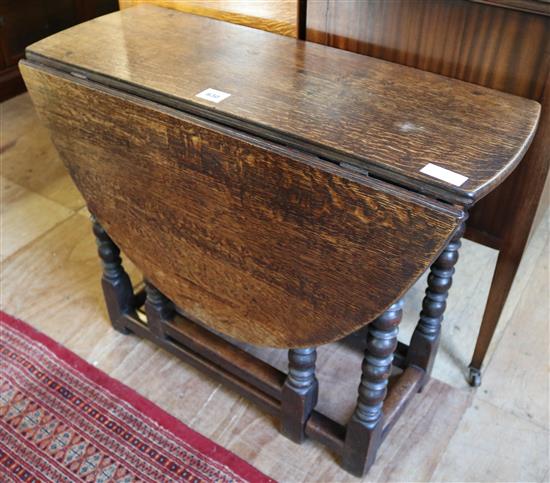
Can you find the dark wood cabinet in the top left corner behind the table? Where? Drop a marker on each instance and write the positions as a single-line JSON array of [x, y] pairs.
[[23, 22]]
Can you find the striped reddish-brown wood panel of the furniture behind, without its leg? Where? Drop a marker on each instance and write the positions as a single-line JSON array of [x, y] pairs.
[[488, 45]]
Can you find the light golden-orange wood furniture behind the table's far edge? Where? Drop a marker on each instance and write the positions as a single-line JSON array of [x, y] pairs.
[[273, 16]]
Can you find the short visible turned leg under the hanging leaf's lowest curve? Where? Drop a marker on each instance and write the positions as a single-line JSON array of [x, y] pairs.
[[300, 392]]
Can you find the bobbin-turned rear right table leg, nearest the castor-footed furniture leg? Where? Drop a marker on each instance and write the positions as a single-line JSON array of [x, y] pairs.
[[425, 339]]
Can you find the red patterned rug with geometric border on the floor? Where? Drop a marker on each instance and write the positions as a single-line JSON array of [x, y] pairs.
[[62, 419]]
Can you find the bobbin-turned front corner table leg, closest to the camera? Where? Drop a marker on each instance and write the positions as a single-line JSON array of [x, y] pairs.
[[364, 430]]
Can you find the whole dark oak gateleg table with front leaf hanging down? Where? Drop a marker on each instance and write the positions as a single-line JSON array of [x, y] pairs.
[[278, 192]]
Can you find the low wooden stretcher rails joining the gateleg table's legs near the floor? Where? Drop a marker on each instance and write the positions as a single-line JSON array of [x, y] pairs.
[[258, 381]]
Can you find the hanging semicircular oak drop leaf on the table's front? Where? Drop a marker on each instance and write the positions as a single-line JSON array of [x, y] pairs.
[[258, 241]]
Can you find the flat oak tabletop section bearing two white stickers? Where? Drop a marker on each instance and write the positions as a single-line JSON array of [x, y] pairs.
[[382, 117]]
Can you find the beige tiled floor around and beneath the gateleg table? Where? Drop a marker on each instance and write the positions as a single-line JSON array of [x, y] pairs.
[[50, 278]]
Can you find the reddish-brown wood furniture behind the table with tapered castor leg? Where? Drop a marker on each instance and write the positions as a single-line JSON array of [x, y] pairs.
[[502, 44]]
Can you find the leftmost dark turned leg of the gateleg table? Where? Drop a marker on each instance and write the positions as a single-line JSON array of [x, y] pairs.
[[117, 288]]
